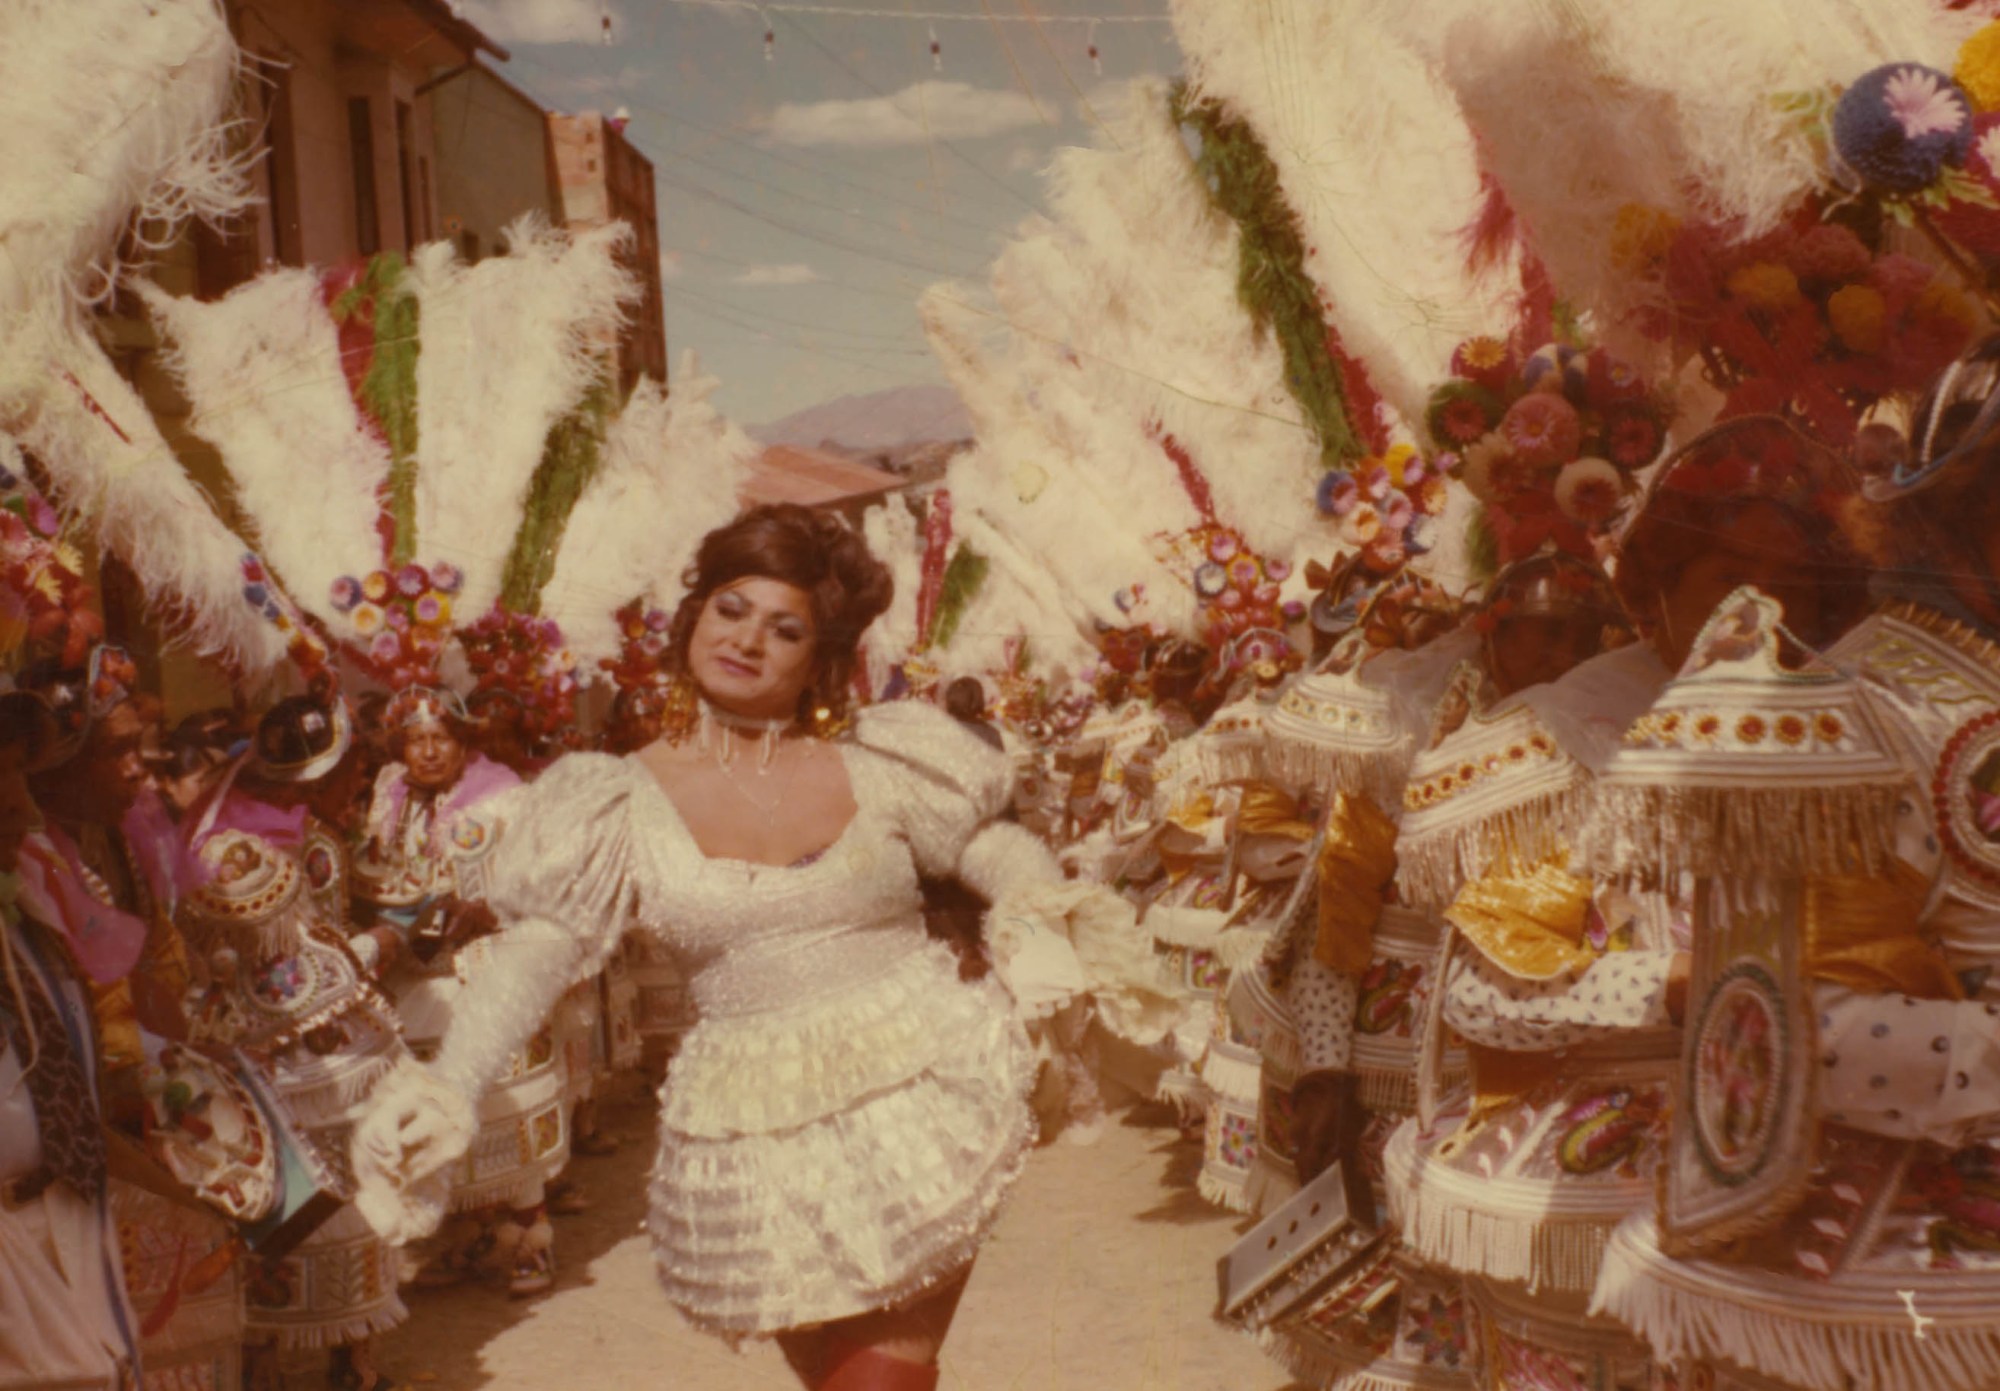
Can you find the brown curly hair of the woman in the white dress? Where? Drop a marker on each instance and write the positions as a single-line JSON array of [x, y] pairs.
[[813, 551]]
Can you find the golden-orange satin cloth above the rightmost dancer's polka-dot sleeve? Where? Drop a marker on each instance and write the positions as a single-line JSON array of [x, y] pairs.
[[1861, 932]]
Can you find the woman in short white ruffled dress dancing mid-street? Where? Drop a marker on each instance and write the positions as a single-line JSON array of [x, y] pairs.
[[841, 1126]]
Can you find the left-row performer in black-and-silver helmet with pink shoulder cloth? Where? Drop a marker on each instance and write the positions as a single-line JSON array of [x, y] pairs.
[[293, 992]]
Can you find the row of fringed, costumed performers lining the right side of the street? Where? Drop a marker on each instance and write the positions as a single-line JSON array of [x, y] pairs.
[[1451, 906]]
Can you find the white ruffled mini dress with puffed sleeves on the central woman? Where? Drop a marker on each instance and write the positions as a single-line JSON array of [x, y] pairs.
[[845, 1118]]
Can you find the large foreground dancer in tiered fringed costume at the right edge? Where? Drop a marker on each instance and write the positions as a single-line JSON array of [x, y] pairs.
[[1821, 1214]]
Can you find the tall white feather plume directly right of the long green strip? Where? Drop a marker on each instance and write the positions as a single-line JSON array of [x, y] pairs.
[[1377, 163]]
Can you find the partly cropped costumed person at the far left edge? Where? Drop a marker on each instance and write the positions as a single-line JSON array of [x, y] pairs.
[[67, 1316]]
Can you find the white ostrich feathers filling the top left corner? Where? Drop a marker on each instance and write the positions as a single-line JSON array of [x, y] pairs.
[[111, 119]]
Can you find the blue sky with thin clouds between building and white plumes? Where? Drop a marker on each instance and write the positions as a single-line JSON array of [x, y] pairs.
[[809, 199]]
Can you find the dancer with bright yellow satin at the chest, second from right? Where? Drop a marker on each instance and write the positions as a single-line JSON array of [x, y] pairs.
[[1485, 836]]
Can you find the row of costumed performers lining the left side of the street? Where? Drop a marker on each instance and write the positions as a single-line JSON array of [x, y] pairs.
[[223, 934]]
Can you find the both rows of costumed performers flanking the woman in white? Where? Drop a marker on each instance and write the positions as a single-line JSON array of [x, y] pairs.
[[1429, 910]]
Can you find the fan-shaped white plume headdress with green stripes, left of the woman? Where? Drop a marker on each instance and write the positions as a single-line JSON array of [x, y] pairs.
[[473, 445]]
